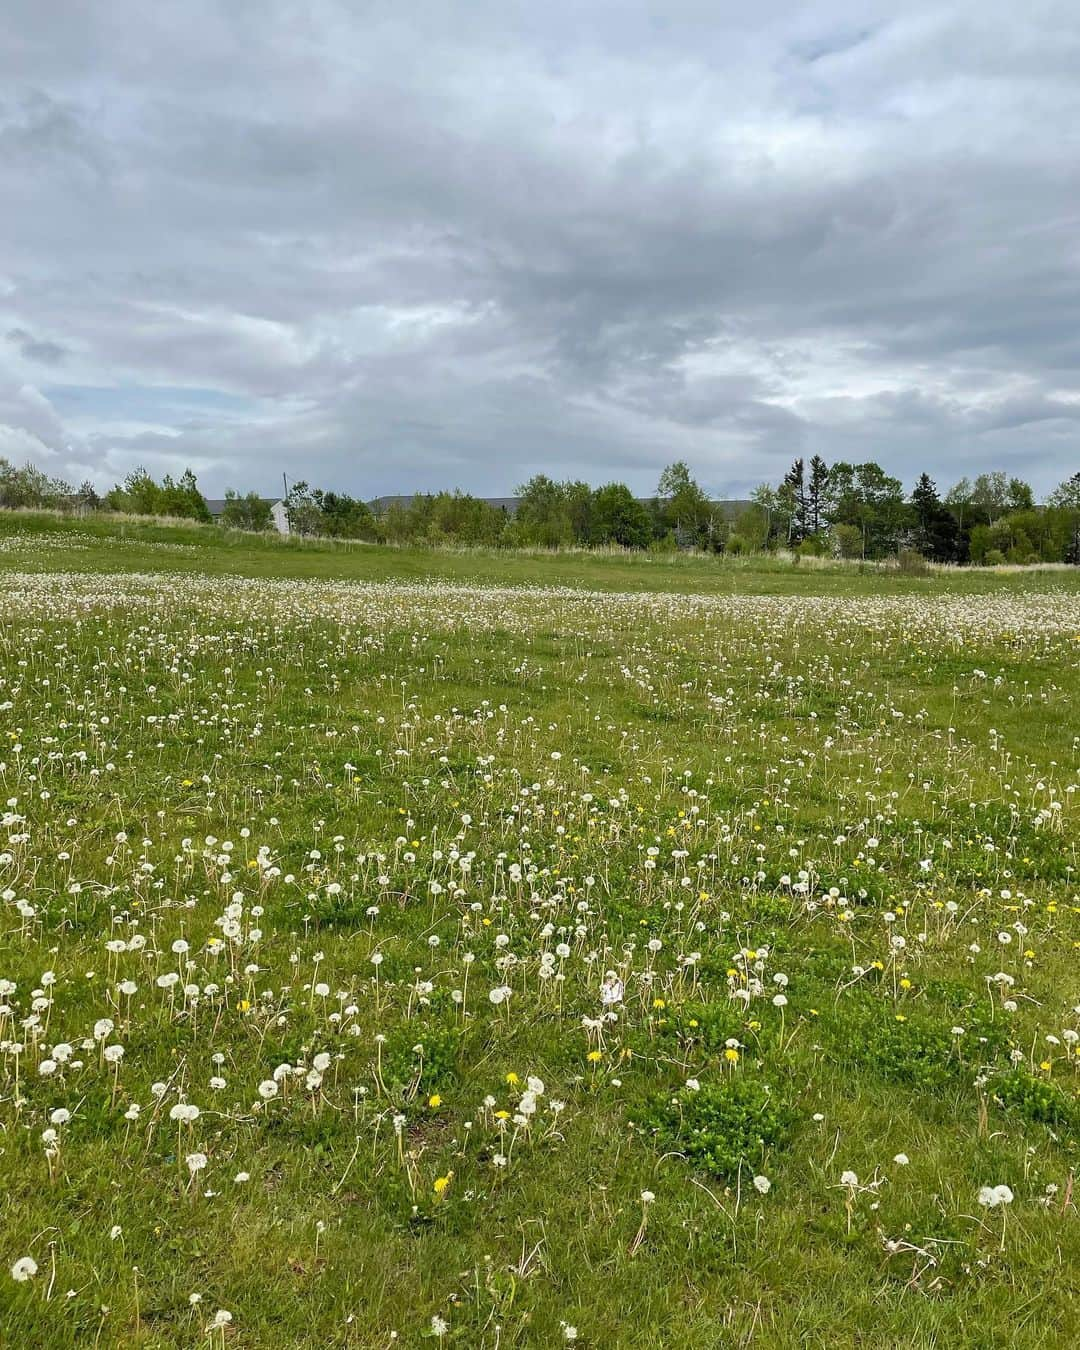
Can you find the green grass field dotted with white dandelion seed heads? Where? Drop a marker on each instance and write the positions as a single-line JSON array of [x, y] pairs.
[[410, 948]]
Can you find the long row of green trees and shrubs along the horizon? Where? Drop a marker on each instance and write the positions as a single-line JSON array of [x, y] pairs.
[[840, 510]]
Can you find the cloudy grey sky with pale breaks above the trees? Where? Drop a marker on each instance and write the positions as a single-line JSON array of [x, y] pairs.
[[415, 246]]
